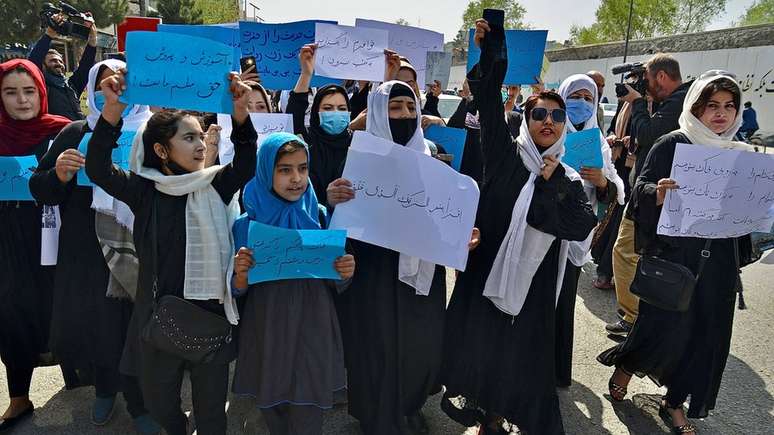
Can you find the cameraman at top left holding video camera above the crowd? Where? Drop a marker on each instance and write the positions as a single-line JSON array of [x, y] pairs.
[[63, 93]]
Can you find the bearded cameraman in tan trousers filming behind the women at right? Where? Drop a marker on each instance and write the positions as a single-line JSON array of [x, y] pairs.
[[667, 91]]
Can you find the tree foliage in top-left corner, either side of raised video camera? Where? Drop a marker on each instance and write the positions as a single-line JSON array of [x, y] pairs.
[[21, 21]]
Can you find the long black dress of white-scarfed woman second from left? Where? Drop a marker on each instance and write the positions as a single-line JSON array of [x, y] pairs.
[[87, 328]]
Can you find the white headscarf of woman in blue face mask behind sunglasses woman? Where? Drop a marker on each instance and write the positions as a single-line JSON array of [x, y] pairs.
[[580, 251]]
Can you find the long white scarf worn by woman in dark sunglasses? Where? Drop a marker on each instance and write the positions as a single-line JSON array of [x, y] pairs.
[[523, 248]]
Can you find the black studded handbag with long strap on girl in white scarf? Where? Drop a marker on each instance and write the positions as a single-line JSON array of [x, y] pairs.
[[179, 327]]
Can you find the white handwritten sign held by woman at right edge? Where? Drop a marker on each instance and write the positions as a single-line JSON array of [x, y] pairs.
[[722, 193]]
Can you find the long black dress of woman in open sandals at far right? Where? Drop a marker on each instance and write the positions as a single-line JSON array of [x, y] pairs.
[[686, 351]]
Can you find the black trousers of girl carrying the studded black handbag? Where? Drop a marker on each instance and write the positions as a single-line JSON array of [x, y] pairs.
[[161, 380]]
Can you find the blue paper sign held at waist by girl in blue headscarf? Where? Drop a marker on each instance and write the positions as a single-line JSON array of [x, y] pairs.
[[280, 253]]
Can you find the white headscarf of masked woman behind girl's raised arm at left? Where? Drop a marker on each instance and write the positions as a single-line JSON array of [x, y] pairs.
[[101, 201]]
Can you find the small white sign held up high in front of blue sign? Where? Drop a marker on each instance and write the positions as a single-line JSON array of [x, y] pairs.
[[345, 52]]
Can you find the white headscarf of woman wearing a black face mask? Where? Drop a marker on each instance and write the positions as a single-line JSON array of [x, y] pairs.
[[411, 270]]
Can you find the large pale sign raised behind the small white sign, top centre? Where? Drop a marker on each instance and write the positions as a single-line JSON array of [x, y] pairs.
[[411, 42]]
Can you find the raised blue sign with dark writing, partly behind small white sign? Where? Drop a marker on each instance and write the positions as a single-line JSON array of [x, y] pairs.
[[276, 47]]
